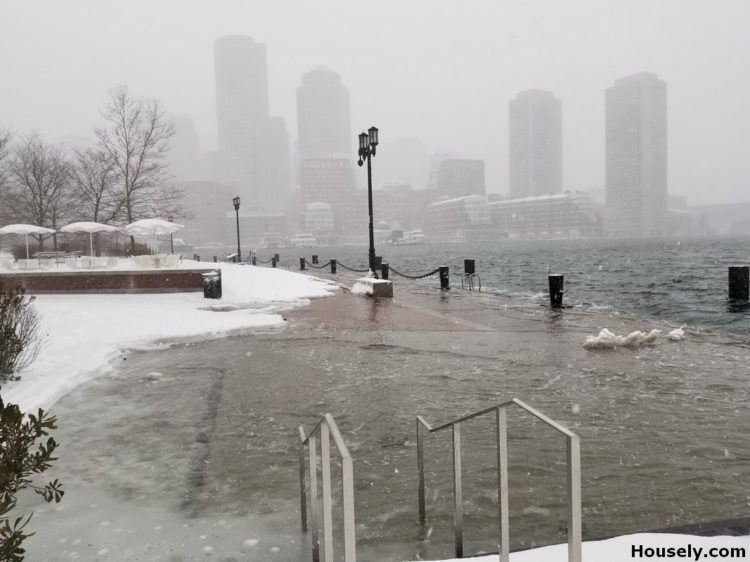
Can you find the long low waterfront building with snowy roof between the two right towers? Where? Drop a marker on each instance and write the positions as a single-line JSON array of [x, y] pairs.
[[562, 215]]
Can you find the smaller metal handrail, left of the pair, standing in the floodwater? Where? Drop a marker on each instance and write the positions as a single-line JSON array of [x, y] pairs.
[[326, 427]]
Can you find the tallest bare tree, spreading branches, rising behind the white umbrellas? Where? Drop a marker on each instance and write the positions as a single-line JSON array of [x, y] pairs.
[[137, 141]]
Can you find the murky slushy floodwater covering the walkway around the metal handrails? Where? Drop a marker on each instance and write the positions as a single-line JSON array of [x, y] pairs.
[[191, 453]]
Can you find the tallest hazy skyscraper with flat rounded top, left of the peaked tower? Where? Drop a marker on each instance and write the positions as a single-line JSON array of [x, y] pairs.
[[241, 107]]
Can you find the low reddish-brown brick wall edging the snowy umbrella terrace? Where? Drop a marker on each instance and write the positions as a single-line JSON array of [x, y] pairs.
[[145, 281]]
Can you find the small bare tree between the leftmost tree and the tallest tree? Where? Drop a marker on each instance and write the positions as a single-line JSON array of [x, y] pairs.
[[95, 182]]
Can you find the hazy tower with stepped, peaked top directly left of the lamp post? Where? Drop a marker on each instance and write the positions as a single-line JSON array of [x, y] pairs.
[[323, 115]]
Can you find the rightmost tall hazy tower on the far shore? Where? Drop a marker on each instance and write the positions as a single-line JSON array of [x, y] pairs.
[[636, 160]]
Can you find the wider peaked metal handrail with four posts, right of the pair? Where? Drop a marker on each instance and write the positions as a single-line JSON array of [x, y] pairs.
[[574, 476]]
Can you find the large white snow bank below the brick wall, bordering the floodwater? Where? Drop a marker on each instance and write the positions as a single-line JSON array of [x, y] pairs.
[[84, 333]]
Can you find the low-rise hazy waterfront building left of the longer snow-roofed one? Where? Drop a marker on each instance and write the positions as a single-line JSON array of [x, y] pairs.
[[459, 219]]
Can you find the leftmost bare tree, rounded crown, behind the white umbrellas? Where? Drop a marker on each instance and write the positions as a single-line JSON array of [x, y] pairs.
[[40, 178]]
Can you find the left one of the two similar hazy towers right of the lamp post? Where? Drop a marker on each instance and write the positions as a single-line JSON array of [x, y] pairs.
[[535, 144]]
